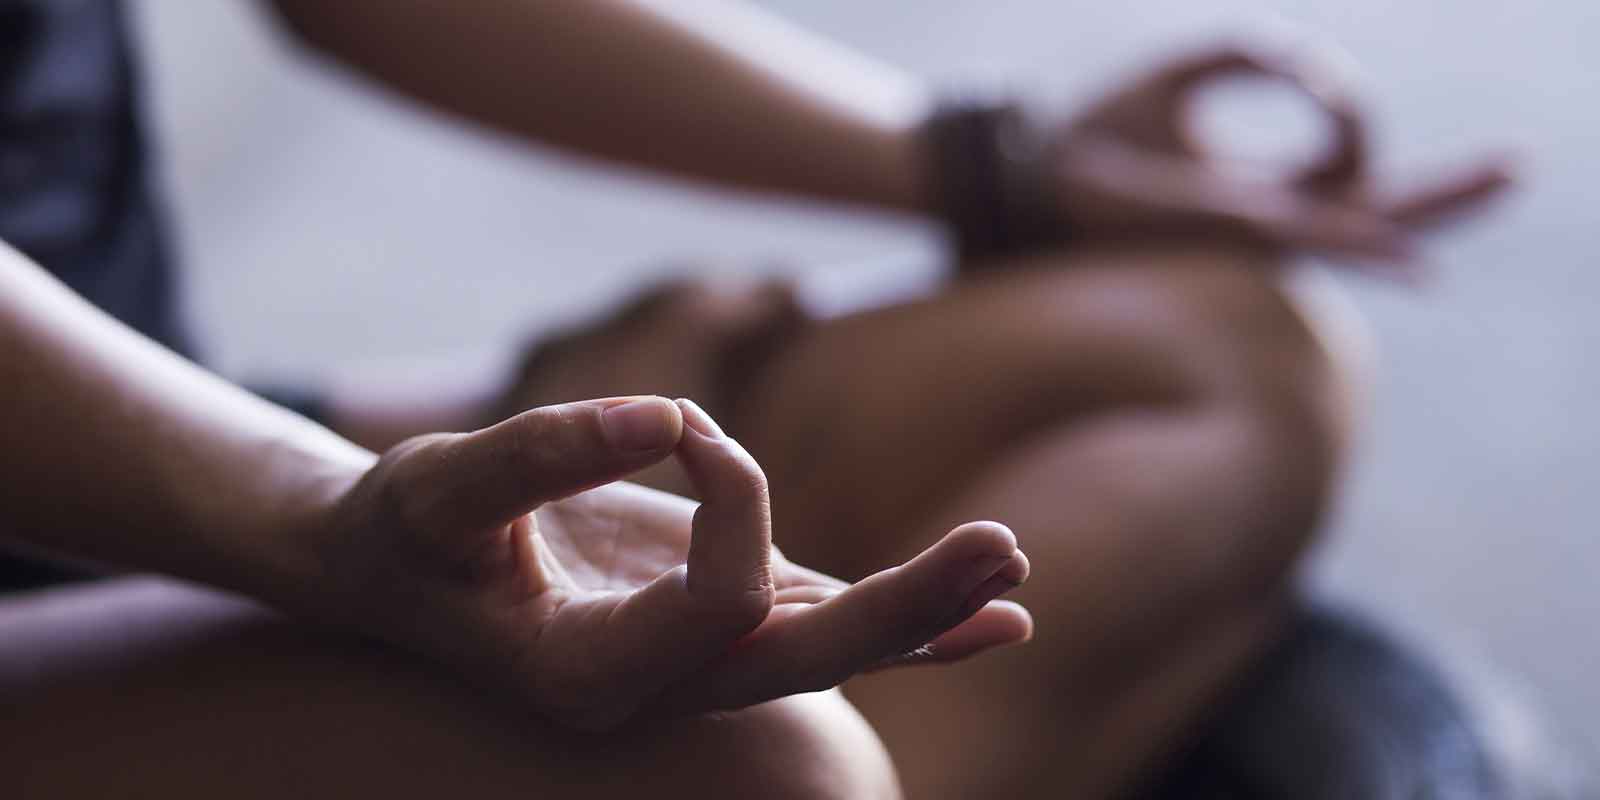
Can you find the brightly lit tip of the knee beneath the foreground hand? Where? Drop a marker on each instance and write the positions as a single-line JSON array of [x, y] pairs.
[[807, 746]]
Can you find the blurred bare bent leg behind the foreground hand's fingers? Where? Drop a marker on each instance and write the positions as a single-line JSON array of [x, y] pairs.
[[1159, 430]]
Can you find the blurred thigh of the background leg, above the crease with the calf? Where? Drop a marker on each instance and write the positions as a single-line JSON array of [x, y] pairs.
[[866, 423]]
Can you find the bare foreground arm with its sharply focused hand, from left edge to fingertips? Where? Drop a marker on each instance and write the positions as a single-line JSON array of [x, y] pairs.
[[602, 606]]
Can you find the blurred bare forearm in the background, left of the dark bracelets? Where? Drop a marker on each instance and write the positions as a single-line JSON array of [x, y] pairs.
[[716, 92]]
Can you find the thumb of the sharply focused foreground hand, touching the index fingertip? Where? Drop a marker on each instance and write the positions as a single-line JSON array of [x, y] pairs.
[[490, 478]]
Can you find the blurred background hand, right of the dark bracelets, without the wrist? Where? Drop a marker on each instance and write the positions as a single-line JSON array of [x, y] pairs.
[[1129, 169]]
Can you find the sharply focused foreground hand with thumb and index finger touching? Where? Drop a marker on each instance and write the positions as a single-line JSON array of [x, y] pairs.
[[612, 601]]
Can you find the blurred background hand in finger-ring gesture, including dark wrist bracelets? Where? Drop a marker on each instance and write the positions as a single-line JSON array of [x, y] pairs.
[[1130, 170]]
